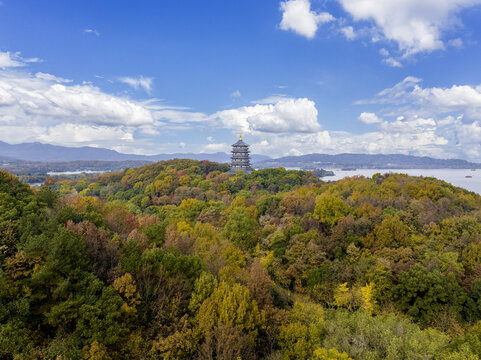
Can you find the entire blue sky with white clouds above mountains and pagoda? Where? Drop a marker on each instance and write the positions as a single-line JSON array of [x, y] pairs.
[[294, 76]]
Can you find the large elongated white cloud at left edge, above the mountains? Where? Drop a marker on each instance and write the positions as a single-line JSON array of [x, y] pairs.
[[47, 108]]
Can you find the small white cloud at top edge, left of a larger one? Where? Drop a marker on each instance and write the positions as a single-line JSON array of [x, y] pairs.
[[298, 17]]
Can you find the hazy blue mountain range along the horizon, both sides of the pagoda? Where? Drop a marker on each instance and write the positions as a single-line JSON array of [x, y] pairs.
[[52, 153]]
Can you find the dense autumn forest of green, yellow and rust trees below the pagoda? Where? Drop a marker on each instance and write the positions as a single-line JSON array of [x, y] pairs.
[[182, 260]]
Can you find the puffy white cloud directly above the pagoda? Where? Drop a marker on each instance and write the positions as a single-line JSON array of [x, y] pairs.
[[287, 115]]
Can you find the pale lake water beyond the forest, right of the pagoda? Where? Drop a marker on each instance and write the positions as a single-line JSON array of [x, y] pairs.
[[457, 177]]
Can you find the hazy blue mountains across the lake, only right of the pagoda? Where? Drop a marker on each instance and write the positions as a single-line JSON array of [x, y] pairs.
[[379, 161]]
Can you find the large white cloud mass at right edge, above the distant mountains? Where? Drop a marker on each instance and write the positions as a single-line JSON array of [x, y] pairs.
[[434, 121]]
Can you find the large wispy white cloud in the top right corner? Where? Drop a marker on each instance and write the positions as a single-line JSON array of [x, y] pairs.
[[416, 26]]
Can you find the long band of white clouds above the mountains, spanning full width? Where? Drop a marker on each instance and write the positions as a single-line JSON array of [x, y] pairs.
[[405, 118]]
